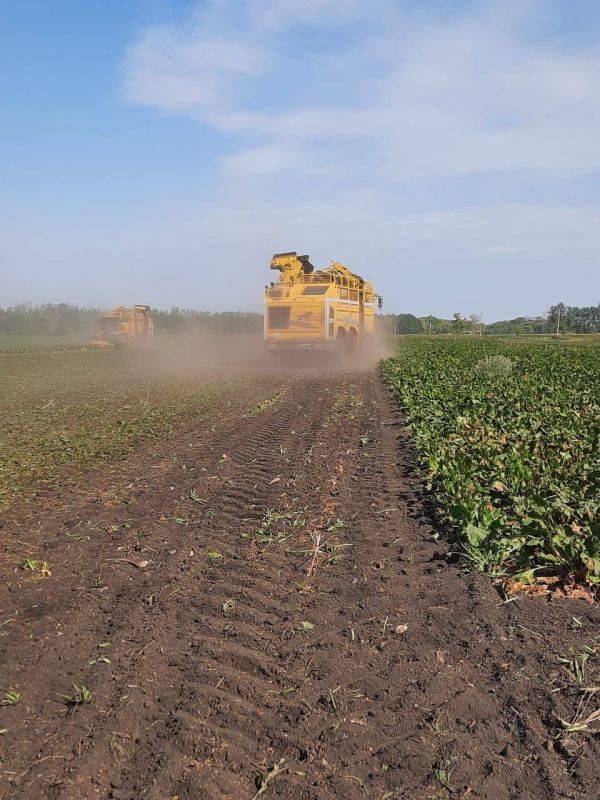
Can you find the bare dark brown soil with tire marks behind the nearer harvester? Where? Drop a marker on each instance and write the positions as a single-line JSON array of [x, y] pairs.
[[327, 649]]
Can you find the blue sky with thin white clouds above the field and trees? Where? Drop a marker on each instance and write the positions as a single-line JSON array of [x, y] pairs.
[[160, 151]]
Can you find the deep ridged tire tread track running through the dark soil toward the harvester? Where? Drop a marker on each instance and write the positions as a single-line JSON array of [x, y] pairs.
[[251, 653]]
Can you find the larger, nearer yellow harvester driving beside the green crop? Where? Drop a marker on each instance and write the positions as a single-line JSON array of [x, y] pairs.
[[330, 309]]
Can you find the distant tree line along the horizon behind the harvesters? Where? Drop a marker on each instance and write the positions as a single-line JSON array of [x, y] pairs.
[[57, 319]]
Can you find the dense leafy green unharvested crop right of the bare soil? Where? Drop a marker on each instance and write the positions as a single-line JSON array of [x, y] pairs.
[[508, 435]]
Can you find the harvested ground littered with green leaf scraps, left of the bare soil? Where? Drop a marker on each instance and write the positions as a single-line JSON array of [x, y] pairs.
[[66, 413]]
